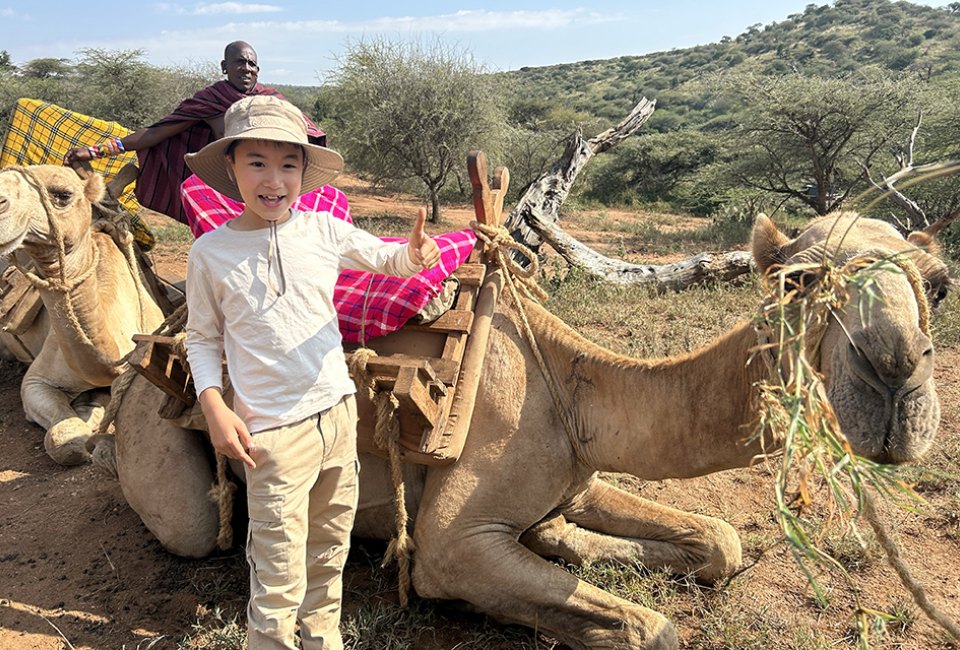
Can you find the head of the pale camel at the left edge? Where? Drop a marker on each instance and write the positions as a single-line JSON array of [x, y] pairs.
[[24, 218]]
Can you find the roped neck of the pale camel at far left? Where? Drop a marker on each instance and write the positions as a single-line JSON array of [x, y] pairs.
[[81, 307]]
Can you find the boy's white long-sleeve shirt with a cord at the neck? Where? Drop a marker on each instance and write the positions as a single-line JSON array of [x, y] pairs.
[[284, 353]]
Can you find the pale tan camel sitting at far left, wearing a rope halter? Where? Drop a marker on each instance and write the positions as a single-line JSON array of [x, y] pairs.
[[93, 301]]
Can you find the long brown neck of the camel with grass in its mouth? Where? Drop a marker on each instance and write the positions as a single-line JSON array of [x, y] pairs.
[[678, 417]]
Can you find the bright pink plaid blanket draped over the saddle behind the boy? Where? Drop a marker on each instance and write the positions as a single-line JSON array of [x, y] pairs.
[[372, 304]]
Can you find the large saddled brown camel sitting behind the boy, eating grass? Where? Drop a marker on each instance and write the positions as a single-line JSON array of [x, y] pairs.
[[481, 542]]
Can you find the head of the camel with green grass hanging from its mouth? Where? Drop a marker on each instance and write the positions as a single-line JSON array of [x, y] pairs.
[[875, 357]]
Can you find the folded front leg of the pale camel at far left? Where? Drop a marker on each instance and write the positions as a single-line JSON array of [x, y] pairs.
[[50, 407]]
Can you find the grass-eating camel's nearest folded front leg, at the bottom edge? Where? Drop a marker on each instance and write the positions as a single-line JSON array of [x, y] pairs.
[[500, 577]]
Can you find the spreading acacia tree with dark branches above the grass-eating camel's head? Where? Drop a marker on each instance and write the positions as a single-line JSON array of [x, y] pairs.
[[808, 138]]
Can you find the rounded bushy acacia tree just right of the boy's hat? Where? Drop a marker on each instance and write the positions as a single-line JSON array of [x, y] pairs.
[[409, 111]]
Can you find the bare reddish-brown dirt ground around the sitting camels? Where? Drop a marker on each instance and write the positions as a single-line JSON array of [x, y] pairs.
[[79, 570]]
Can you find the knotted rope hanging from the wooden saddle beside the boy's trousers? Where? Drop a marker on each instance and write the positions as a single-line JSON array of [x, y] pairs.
[[387, 437]]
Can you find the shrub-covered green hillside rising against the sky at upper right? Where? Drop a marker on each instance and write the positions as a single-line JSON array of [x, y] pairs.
[[825, 40]]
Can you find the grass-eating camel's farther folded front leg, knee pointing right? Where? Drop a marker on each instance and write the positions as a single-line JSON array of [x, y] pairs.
[[605, 523]]
